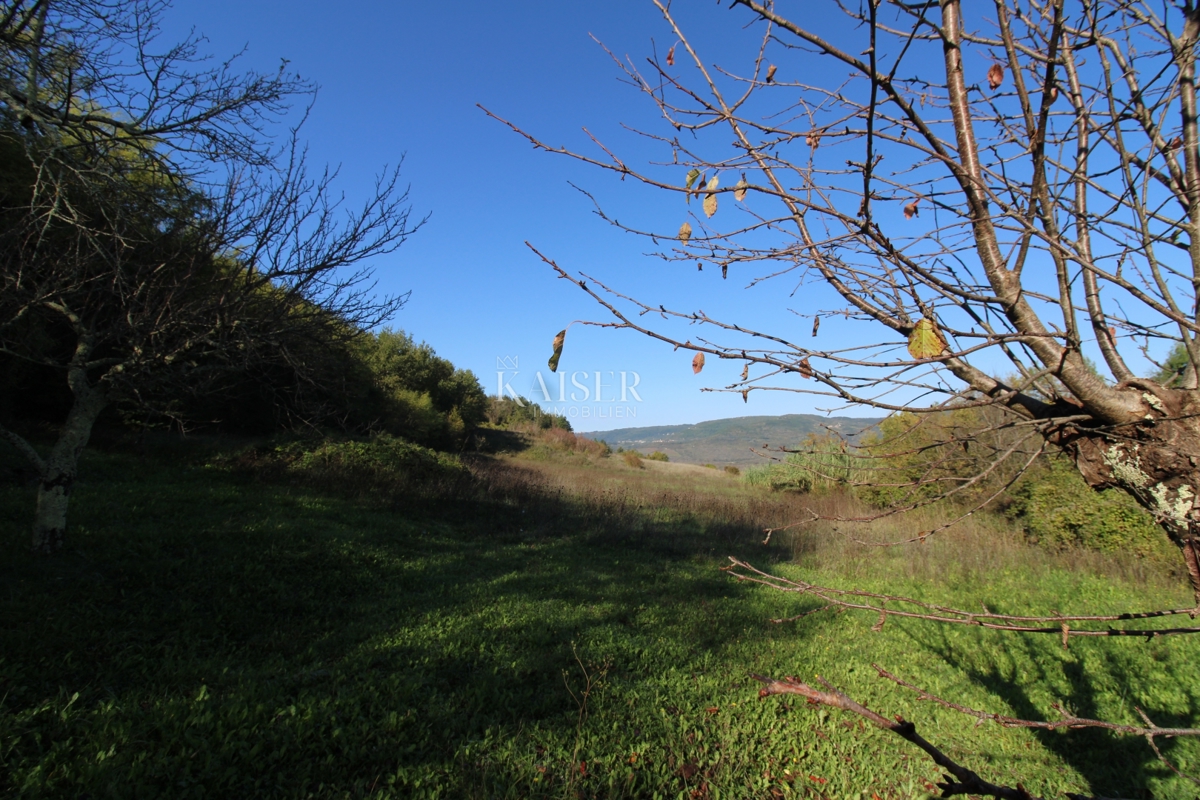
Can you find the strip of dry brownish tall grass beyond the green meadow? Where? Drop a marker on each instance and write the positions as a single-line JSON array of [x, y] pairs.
[[733, 514]]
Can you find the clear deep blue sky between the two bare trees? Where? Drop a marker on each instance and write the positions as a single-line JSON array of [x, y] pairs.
[[404, 80]]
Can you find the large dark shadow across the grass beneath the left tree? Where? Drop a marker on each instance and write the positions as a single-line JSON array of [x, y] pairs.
[[209, 635]]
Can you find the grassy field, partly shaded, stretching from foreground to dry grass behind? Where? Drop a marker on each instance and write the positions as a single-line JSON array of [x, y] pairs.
[[561, 629]]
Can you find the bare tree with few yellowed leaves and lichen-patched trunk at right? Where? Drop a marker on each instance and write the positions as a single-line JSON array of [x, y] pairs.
[[999, 190]]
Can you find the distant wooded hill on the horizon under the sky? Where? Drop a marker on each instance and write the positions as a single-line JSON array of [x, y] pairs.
[[729, 442]]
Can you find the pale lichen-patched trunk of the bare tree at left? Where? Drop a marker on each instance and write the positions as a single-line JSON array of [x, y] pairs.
[[59, 470]]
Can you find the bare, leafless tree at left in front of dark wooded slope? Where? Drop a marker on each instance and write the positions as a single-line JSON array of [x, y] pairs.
[[153, 232]]
